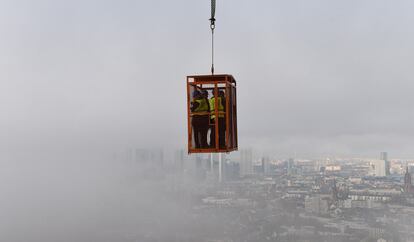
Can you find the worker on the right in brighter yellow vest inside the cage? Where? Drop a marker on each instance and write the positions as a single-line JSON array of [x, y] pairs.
[[221, 120]]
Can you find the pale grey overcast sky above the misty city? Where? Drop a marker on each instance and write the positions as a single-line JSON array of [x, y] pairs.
[[317, 76]]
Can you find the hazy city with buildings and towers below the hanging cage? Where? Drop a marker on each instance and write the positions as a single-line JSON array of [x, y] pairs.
[[256, 198]]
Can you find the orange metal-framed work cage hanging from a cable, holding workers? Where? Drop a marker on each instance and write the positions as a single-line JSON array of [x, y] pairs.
[[212, 113]]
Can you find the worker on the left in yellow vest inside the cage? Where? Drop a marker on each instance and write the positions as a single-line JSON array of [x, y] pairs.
[[200, 119]]
